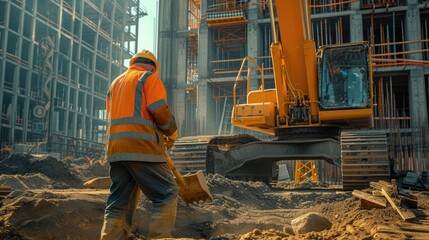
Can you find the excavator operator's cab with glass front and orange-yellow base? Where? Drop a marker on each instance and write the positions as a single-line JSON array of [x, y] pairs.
[[345, 85]]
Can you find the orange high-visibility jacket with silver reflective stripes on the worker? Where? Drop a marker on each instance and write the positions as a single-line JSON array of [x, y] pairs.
[[138, 117]]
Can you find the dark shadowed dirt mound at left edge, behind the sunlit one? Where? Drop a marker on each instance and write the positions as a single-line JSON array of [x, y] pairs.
[[22, 164]]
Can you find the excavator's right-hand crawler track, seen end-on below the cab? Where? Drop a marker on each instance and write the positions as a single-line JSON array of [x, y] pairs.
[[364, 158]]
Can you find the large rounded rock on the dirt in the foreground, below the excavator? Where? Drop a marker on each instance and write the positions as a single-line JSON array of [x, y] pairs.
[[310, 222]]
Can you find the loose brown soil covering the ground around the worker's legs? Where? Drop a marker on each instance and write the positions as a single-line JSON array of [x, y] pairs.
[[49, 202]]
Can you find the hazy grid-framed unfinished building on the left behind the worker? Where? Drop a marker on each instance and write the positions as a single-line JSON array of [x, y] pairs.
[[57, 59]]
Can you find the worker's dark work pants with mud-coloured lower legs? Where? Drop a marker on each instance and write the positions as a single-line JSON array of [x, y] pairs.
[[157, 183]]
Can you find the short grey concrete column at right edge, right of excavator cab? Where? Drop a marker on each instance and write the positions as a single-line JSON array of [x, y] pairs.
[[417, 101]]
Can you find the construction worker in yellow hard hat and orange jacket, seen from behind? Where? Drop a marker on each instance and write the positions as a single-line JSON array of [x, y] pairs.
[[140, 126]]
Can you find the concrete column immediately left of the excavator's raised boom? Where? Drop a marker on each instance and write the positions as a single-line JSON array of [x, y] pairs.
[[254, 40]]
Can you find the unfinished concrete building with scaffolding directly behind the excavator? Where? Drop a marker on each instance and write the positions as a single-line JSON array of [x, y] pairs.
[[201, 52]]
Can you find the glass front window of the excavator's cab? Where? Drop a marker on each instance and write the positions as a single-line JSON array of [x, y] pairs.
[[344, 77]]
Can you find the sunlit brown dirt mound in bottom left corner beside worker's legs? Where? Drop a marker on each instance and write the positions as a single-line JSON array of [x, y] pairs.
[[47, 215]]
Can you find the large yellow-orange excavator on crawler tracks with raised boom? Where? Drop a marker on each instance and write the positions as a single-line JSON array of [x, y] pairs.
[[321, 108]]
